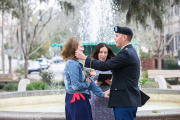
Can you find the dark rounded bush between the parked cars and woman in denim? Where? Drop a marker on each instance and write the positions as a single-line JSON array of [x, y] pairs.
[[46, 76]]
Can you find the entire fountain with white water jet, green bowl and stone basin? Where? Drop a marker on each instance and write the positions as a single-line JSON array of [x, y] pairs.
[[96, 25]]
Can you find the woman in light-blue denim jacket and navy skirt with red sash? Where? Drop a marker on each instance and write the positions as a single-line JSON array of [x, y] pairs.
[[76, 85]]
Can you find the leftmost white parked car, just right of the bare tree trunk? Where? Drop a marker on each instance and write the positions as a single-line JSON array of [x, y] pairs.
[[33, 67]]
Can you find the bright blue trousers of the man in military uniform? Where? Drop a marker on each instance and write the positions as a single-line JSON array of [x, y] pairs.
[[125, 113]]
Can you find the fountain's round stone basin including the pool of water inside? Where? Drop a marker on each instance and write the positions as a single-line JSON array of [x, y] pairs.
[[45, 105]]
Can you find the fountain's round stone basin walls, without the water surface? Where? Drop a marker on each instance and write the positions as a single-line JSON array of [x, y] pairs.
[[15, 99]]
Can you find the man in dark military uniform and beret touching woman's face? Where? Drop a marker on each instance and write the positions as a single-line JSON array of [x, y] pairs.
[[125, 95]]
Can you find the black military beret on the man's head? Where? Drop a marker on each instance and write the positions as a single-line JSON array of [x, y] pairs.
[[123, 30]]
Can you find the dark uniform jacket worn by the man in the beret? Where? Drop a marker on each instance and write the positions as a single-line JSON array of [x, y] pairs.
[[124, 91]]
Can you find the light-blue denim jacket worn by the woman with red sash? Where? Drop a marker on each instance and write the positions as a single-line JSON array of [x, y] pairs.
[[75, 81]]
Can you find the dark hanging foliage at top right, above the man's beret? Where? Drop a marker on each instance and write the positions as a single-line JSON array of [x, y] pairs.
[[140, 10]]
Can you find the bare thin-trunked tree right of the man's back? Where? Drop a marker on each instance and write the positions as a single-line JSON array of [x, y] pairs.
[[154, 41]]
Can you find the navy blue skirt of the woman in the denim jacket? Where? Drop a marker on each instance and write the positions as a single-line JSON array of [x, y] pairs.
[[79, 110]]
